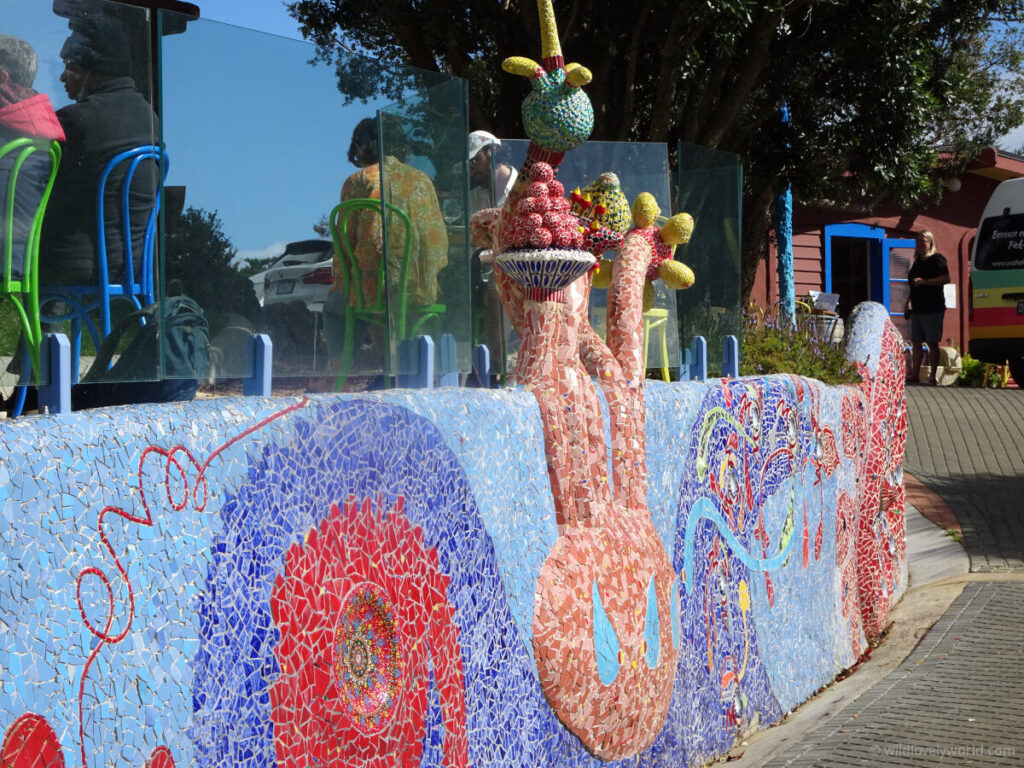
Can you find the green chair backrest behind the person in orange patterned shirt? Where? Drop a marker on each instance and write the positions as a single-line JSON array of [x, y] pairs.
[[339, 221]]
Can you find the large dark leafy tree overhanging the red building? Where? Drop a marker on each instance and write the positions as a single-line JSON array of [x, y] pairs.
[[875, 88]]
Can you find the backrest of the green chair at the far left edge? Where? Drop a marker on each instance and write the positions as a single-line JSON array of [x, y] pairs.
[[20, 260]]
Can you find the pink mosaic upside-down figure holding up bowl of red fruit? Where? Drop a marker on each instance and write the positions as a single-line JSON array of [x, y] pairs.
[[606, 619]]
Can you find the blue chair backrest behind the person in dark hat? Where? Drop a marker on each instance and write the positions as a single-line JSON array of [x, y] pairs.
[[132, 160]]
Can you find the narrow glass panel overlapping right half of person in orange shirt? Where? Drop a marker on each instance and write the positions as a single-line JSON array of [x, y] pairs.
[[424, 175]]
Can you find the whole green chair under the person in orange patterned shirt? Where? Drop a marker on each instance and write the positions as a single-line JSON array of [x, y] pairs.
[[389, 312]]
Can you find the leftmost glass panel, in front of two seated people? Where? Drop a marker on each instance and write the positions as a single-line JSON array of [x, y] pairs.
[[95, 66]]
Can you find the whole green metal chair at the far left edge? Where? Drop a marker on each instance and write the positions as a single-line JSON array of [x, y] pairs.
[[23, 289]]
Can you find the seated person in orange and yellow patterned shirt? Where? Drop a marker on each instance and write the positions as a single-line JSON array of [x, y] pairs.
[[411, 191]]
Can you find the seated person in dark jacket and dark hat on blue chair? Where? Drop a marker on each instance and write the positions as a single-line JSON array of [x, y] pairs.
[[110, 116]]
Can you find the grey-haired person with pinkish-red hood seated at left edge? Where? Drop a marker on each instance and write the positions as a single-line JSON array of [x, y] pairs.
[[24, 114]]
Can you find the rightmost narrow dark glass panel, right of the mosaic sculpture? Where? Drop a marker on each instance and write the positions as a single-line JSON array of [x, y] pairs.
[[710, 190]]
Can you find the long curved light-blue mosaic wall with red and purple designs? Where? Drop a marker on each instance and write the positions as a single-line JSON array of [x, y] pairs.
[[352, 581]]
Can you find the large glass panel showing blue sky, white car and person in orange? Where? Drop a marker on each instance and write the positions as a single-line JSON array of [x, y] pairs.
[[266, 144]]
